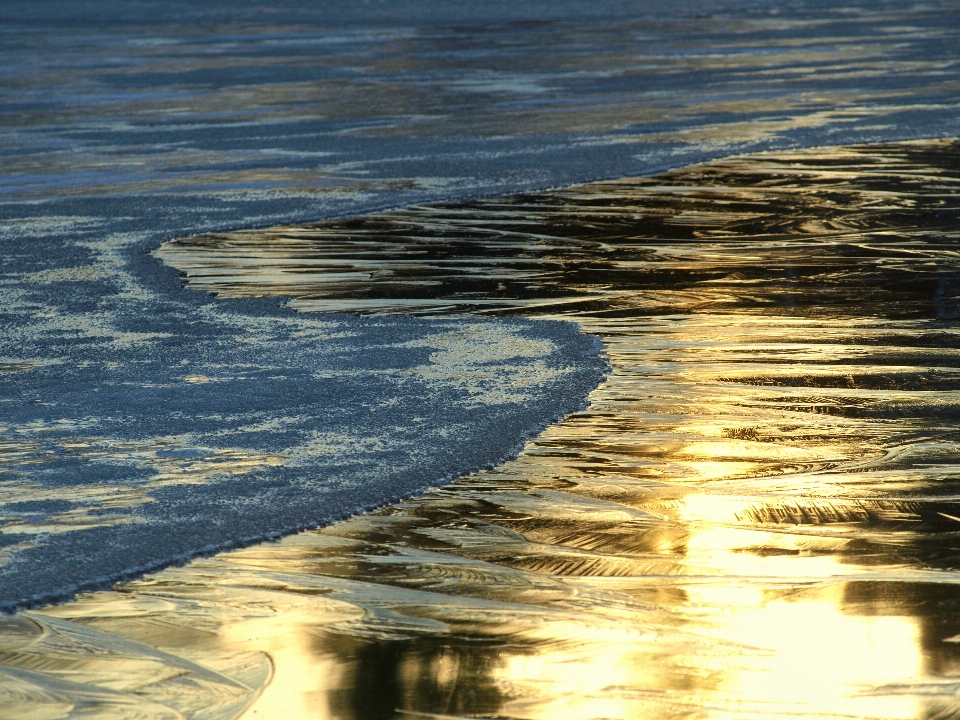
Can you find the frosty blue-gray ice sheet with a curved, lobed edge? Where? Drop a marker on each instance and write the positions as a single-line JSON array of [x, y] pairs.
[[140, 422]]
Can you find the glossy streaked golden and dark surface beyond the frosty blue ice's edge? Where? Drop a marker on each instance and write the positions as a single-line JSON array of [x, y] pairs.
[[757, 516]]
